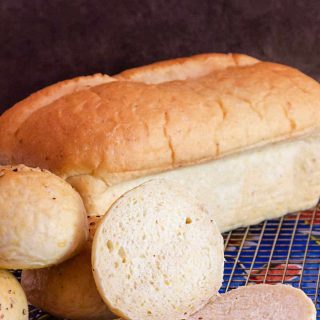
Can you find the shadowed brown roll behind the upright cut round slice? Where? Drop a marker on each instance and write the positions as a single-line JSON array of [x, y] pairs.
[[67, 290]]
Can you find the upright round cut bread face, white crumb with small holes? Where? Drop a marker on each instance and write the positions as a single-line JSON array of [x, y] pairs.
[[156, 254]]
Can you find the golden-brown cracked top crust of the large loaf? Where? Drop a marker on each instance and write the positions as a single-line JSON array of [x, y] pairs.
[[185, 111]]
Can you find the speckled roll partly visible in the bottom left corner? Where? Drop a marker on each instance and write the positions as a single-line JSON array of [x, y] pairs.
[[13, 301]]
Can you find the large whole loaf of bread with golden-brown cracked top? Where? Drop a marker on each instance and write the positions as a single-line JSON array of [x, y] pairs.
[[241, 133]]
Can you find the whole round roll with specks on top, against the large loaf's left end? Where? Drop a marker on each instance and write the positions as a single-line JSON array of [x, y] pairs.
[[43, 220]]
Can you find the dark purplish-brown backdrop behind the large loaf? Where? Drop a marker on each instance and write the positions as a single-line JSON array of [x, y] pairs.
[[43, 42]]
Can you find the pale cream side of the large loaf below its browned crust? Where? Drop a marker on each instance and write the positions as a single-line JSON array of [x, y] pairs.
[[238, 190]]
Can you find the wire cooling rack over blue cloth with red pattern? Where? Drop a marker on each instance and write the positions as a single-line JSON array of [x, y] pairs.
[[285, 250]]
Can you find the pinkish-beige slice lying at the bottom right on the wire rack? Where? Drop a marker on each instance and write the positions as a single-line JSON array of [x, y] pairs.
[[263, 302]]
